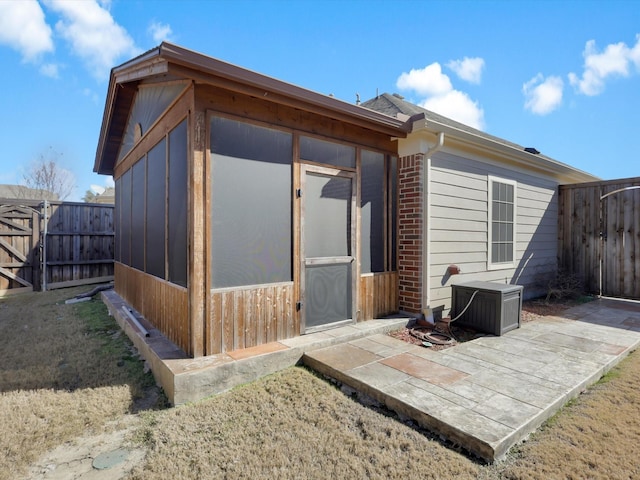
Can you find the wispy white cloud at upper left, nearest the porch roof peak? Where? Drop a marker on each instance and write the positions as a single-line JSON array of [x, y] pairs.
[[93, 34]]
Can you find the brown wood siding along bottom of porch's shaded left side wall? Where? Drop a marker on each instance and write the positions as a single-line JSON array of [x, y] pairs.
[[161, 303]]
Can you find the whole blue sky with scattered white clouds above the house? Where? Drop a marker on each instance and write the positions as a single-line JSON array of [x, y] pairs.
[[561, 76]]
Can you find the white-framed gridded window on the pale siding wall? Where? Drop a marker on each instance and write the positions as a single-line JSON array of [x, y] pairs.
[[502, 223]]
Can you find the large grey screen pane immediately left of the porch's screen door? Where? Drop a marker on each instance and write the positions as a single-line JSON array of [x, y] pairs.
[[251, 211]]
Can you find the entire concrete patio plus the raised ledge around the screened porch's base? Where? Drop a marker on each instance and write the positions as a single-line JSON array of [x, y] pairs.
[[485, 395]]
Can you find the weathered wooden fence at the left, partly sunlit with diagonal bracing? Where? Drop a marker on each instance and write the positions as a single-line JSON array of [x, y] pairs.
[[47, 245]]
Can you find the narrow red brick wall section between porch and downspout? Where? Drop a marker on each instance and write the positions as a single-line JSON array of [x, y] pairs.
[[410, 232]]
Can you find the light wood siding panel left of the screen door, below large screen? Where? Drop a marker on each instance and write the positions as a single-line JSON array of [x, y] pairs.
[[248, 317]]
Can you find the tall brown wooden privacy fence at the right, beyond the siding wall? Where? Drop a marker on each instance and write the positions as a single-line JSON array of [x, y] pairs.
[[599, 236]]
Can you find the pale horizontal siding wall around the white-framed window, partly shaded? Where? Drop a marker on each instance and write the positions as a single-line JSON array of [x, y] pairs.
[[459, 227]]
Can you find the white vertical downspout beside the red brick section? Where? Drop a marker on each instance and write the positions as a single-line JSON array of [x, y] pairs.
[[426, 215]]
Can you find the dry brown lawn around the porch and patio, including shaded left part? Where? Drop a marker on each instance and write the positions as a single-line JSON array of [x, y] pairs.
[[292, 424]]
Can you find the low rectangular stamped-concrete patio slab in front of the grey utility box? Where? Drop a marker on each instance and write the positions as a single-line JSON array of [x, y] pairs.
[[490, 393]]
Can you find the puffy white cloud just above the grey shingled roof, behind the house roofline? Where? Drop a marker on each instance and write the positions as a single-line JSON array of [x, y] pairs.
[[440, 95]]
